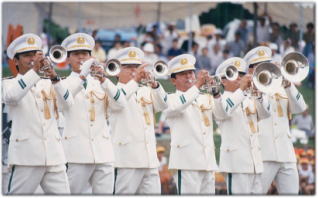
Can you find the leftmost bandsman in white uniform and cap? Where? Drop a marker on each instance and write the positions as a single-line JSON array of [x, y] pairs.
[[35, 151]]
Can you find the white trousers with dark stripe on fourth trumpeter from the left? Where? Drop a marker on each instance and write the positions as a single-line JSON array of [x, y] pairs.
[[190, 182]]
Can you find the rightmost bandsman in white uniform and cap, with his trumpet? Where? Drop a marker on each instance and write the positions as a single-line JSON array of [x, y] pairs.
[[278, 153]]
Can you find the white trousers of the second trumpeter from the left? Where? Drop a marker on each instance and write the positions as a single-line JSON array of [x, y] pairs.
[[99, 176]]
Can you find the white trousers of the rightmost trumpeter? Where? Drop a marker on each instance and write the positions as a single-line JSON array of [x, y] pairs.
[[285, 176]]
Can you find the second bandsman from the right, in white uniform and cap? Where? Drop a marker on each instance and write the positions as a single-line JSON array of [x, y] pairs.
[[240, 155]]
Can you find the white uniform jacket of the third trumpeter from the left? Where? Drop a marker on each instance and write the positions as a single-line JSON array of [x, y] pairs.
[[133, 127]]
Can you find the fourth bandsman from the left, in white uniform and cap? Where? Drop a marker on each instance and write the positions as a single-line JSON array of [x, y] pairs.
[[189, 115]]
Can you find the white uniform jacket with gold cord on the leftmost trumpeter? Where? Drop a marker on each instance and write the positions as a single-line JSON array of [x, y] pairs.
[[35, 139]]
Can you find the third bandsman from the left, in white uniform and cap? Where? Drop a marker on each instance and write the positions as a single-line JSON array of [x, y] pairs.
[[133, 133]]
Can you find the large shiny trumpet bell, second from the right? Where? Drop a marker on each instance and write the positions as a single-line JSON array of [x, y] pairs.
[[267, 78]]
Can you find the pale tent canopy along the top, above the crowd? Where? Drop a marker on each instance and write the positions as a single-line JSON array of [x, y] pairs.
[[124, 14]]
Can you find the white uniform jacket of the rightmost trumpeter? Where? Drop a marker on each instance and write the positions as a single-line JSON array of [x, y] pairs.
[[275, 137]]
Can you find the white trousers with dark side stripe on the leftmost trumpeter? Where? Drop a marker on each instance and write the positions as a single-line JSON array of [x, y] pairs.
[[26, 179]]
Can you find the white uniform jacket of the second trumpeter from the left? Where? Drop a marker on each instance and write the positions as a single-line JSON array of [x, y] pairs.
[[86, 136]]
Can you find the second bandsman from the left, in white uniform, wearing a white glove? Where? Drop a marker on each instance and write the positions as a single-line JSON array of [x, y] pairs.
[[86, 137]]
